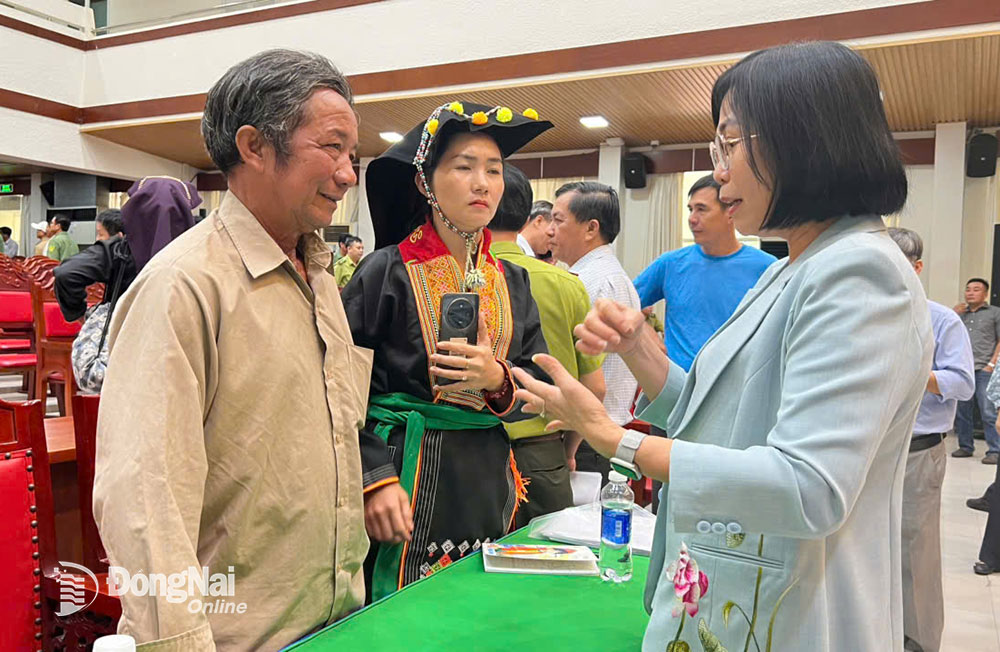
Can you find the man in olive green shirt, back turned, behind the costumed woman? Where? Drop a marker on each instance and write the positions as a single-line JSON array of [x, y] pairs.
[[545, 458]]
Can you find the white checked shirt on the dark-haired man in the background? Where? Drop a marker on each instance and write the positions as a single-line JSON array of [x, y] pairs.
[[605, 278]]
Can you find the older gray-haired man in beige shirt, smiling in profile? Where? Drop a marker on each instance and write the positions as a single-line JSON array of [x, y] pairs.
[[227, 437]]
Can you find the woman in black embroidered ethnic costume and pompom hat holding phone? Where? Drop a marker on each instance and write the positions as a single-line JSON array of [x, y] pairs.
[[439, 475]]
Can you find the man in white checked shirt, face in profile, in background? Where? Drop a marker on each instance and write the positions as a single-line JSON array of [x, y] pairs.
[[587, 221]]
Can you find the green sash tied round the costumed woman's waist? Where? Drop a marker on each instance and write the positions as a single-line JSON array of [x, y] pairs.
[[398, 409]]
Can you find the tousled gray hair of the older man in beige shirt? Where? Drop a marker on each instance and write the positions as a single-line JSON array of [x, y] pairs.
[[267, 91]]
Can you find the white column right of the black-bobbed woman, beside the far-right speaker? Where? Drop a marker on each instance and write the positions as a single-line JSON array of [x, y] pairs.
[[944, 255]]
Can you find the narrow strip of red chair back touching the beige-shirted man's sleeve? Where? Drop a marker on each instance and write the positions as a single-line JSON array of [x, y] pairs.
[[85, 408]]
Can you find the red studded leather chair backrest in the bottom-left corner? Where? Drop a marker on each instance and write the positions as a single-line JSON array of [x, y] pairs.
[[27, 538]]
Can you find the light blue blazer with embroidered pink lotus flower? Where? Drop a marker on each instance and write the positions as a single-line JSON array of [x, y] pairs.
[[791, 433]]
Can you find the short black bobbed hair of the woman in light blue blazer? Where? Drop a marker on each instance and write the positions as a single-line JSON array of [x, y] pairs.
[[819, 128]]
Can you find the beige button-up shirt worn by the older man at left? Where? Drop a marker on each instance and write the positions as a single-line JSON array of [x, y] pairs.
[[228, 438]]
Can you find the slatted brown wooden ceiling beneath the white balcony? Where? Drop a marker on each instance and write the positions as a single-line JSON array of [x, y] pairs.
[[924, 83]]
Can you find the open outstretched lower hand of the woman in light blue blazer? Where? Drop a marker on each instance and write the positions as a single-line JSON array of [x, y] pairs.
[[567, 405]]
